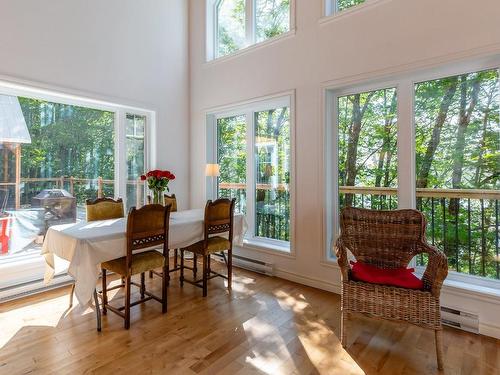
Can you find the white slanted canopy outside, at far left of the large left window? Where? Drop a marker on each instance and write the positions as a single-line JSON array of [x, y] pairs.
[[13, 127]]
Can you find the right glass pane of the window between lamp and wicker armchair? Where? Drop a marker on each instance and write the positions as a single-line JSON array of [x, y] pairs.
[[272, 149]]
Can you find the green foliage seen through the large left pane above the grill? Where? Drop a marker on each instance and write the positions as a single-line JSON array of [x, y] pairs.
[[67, 141]]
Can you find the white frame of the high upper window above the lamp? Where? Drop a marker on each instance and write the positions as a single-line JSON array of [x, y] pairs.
[[211, 31]]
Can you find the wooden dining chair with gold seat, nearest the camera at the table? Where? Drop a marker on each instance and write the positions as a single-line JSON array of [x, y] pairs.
[[146, 227]]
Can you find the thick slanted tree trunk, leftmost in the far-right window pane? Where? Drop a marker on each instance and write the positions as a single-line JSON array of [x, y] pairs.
[[423, 175]]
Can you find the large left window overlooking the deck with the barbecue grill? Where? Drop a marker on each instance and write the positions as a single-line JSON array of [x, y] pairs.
[[56, 153]]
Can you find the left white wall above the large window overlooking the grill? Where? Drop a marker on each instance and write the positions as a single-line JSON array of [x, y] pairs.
[[123, 51]]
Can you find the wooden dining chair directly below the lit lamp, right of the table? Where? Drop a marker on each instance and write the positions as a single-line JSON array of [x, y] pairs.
[[219, 219]]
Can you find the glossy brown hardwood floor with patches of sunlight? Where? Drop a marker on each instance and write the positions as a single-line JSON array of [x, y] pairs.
[[265, 326]]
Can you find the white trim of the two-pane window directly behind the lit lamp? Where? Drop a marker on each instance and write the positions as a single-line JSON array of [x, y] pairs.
[[248, 109]]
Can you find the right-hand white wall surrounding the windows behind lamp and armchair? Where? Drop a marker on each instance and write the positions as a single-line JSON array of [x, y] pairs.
[[386, 38]]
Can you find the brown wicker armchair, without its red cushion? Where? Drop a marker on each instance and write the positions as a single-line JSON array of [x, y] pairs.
[[390, 239]]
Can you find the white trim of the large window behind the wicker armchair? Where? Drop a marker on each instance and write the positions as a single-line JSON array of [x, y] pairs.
[[404, 83]]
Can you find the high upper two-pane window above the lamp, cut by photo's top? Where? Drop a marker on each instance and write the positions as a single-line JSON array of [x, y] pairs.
[[237, 24]]
